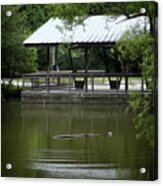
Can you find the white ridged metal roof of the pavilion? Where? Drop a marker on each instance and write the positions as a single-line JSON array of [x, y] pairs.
[[94, 29]]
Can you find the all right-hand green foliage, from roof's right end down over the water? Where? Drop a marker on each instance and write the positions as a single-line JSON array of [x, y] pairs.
[[140, 50]]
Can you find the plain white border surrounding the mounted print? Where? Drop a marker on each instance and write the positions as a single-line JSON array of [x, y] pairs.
[[71, 182]]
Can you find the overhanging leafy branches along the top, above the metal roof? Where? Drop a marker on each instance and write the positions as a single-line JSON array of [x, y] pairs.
[[129, 9]]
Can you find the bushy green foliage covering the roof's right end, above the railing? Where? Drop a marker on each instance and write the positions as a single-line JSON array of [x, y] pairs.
[[137, 51]]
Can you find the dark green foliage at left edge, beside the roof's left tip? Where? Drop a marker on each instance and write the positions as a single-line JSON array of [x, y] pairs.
[[16, 59]]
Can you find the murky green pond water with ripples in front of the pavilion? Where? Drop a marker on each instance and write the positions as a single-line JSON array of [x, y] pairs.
[[72, 141]]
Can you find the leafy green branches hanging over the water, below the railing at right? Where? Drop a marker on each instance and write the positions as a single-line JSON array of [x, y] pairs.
[[144, 121]]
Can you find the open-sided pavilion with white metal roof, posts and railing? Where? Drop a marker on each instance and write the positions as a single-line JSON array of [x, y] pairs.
[[94, 31]]
